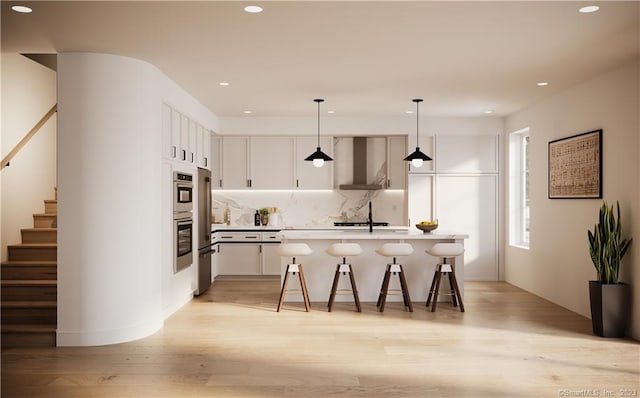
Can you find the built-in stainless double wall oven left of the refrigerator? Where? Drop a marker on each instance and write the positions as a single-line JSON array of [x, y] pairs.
[[182, 220]]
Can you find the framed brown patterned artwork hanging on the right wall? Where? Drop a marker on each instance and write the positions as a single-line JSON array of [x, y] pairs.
[[575, 166]]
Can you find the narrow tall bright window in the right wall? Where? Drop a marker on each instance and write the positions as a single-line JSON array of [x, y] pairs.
[[519, 197]]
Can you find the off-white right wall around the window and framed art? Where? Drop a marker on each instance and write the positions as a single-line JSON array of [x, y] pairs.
[[557, 267]]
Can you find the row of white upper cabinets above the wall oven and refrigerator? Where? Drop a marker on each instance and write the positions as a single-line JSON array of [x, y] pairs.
[[184, 140]]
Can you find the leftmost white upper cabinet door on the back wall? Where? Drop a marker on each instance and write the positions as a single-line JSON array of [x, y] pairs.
[[235, 162]]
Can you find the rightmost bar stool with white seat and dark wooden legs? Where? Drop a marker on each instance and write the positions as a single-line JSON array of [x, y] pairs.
[[445, 250]]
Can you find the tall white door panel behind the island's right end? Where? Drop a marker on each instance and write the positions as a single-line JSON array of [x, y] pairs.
[[468, 204]]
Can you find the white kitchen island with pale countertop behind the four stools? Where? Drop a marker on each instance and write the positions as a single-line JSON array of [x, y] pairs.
[[369, 267]]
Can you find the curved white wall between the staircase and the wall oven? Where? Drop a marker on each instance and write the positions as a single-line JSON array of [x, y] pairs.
[[114, 284]]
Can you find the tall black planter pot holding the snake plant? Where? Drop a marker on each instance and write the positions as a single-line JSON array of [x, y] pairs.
[[610, 307]]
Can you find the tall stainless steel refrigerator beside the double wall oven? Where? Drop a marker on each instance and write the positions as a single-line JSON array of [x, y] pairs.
[[204, 230]]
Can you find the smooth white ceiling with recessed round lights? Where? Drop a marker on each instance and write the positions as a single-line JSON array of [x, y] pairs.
[[365, 58]]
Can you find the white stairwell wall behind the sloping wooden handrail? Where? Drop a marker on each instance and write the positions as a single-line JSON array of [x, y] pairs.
[[28, 92]]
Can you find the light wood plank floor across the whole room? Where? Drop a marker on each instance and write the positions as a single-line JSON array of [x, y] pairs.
[[231, 343]]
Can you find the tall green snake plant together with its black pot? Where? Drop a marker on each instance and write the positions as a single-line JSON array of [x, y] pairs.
[[609, 298]]
